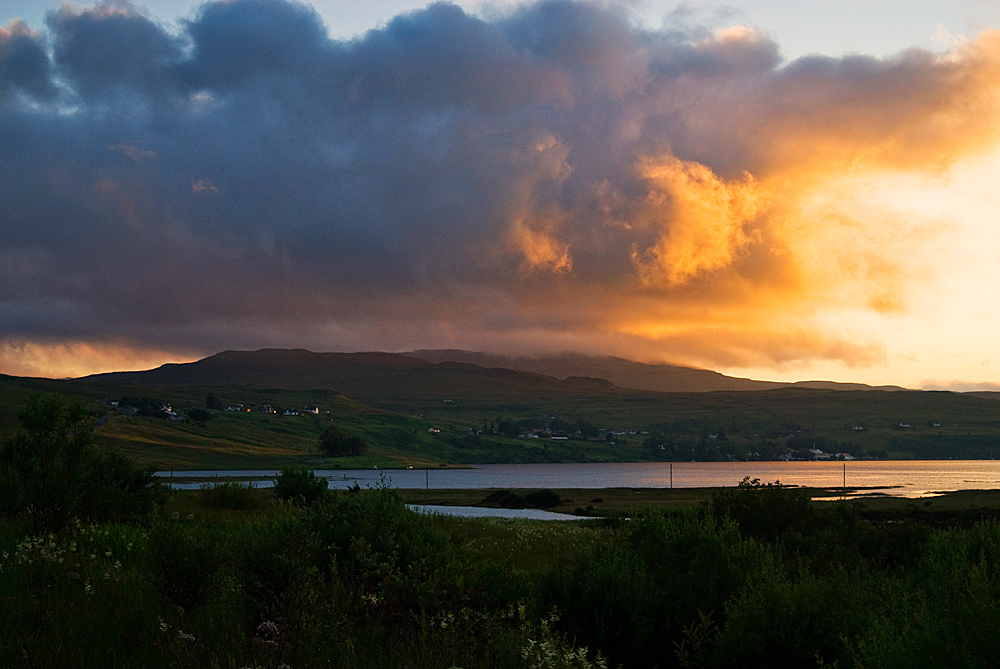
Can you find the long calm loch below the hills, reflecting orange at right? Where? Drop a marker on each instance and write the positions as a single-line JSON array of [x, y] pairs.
[[904, 478]]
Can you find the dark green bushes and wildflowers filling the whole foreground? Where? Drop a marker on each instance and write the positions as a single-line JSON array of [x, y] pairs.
[[232, 576]]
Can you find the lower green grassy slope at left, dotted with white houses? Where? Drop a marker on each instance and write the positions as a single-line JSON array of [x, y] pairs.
[[250, 439]]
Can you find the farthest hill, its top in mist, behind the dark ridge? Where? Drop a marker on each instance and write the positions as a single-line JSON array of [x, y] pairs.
[[627, 374]]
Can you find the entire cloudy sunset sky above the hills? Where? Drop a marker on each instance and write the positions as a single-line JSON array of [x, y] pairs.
[[779, 190]]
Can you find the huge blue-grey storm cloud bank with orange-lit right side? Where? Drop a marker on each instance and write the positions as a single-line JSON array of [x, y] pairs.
[[246, 180]]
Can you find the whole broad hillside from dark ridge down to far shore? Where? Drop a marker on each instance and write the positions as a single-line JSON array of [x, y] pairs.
[[397, 403]]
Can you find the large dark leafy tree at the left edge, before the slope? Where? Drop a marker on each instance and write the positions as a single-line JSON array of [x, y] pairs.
[[50, 470]]
